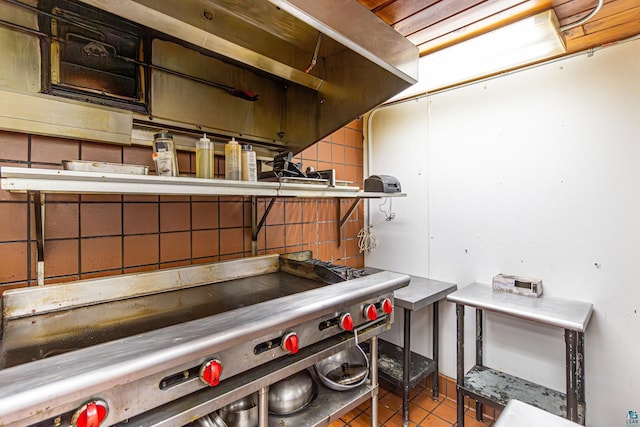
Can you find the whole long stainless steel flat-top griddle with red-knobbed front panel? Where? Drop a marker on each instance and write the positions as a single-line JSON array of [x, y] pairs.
[[122, 337]]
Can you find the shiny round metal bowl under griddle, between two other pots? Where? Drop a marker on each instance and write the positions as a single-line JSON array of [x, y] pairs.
[[292, 394]]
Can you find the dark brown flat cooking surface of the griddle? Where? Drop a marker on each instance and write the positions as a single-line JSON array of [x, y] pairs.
[[45, 335]]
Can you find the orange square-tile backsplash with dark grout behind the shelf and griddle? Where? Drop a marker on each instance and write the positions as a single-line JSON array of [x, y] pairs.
[[97, 235]]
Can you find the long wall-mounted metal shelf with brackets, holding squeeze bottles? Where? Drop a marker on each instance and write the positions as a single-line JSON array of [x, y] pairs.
[[42, 181]]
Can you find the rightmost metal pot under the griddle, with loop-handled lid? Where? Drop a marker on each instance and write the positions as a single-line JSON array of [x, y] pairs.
[[345, 370]]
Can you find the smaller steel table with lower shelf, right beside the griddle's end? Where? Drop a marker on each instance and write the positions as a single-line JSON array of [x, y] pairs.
[[394, 360]]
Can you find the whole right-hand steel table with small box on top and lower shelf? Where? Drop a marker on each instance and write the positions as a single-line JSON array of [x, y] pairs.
[[487, 386]]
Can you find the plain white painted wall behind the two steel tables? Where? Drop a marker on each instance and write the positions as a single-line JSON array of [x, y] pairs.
[[536, 173]]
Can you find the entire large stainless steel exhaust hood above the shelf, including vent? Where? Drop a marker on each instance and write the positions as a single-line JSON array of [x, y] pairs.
[[282, 74]]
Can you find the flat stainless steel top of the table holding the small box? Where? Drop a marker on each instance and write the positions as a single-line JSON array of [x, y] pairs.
[[554, 311]]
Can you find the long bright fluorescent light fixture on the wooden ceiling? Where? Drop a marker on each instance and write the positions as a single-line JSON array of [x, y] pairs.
[[524, 42]]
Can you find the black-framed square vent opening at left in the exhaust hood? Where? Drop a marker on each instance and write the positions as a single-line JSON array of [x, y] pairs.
[[92, 56]]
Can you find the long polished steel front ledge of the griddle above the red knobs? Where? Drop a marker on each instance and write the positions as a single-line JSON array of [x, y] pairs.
[[72, 376]]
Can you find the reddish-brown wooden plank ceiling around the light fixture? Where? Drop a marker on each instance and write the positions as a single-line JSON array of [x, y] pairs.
[[435, 24]]
